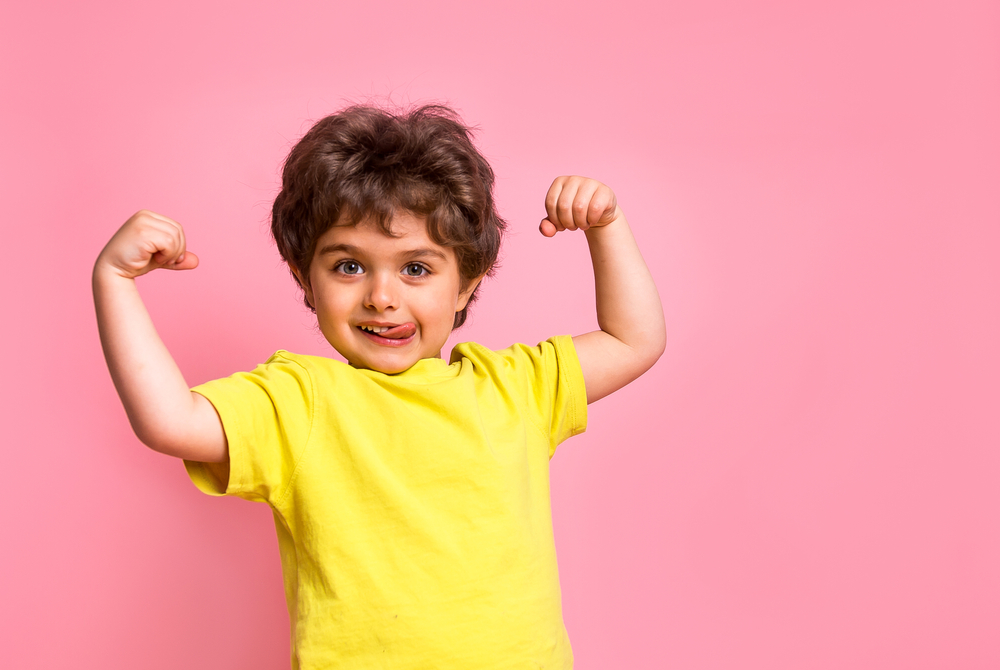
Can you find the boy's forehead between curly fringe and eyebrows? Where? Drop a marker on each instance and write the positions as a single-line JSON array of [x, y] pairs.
[[409, 238]]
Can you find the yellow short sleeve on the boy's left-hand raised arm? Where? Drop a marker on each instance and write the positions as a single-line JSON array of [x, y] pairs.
[[267, 415]]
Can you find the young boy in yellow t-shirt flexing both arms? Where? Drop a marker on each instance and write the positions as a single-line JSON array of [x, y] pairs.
[[410, 495]]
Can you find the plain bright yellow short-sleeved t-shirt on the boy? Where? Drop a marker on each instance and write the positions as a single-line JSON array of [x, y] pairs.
[[412, 510]]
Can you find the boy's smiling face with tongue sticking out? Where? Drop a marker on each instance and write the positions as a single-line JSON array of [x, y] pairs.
[[408, 286]]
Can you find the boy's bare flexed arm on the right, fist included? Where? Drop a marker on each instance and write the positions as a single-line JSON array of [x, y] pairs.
[[632, 333]]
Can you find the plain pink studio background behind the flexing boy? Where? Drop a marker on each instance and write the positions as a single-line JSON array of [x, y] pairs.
[[807, 479]]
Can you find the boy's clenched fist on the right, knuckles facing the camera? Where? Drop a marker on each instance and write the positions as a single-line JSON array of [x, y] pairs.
[[578, 203]]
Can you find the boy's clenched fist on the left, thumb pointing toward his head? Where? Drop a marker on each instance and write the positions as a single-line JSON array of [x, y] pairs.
[[147, 241]]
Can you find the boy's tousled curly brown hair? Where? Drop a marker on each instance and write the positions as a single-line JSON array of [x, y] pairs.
[[366, 163]]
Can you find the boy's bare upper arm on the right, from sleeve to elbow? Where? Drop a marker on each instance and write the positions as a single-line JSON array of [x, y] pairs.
[[608, 364]]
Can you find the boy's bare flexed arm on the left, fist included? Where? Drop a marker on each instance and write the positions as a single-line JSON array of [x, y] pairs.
[[164, 413]]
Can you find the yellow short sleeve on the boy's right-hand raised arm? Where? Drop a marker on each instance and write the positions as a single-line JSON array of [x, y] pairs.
[[552, 384]]
